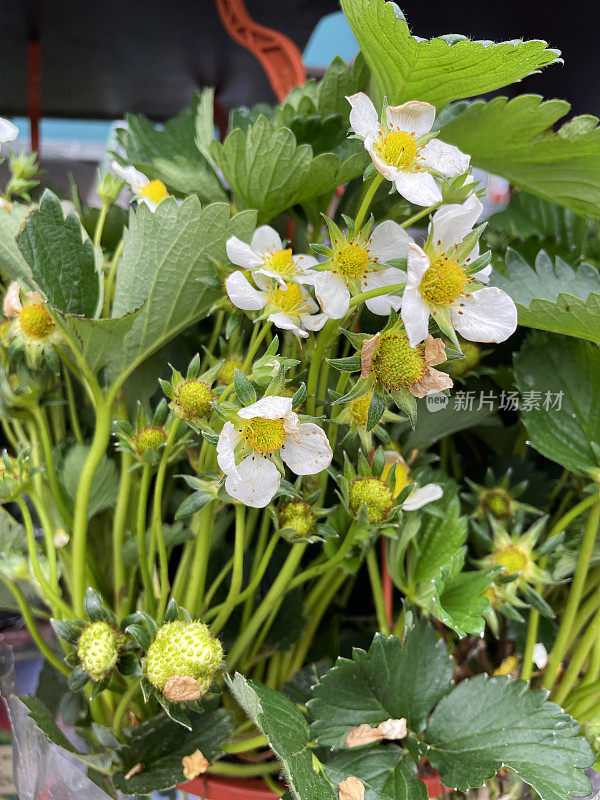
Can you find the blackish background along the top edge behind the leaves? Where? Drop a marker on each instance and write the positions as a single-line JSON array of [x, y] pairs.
[[101, 59]]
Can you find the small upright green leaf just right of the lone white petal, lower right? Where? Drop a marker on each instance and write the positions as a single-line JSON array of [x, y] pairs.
[[442, 534]]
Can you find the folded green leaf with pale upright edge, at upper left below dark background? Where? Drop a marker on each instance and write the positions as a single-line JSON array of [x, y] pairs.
[[177, 154]]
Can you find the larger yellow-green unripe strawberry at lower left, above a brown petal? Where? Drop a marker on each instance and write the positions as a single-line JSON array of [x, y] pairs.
[[183, 649]]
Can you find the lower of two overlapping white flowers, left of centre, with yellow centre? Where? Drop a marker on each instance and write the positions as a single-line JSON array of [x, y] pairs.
[[291, 306]]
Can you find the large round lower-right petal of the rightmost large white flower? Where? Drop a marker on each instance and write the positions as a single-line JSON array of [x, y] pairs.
[[487, 315]]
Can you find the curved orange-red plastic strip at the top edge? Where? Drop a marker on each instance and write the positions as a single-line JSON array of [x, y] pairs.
[[278, 55]]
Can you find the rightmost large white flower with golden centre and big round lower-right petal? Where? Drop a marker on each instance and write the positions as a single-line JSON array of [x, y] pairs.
[[438, 279]]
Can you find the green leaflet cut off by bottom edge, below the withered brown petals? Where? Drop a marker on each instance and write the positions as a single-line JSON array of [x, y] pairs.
[[385, 772]]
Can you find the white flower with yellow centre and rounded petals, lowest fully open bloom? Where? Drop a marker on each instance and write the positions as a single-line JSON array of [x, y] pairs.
[[262, 429]]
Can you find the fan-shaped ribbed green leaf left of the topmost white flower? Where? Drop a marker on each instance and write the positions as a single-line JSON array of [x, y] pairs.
[[269, 171]]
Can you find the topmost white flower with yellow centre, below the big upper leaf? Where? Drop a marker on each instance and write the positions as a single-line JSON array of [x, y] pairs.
[[403, 150]]
